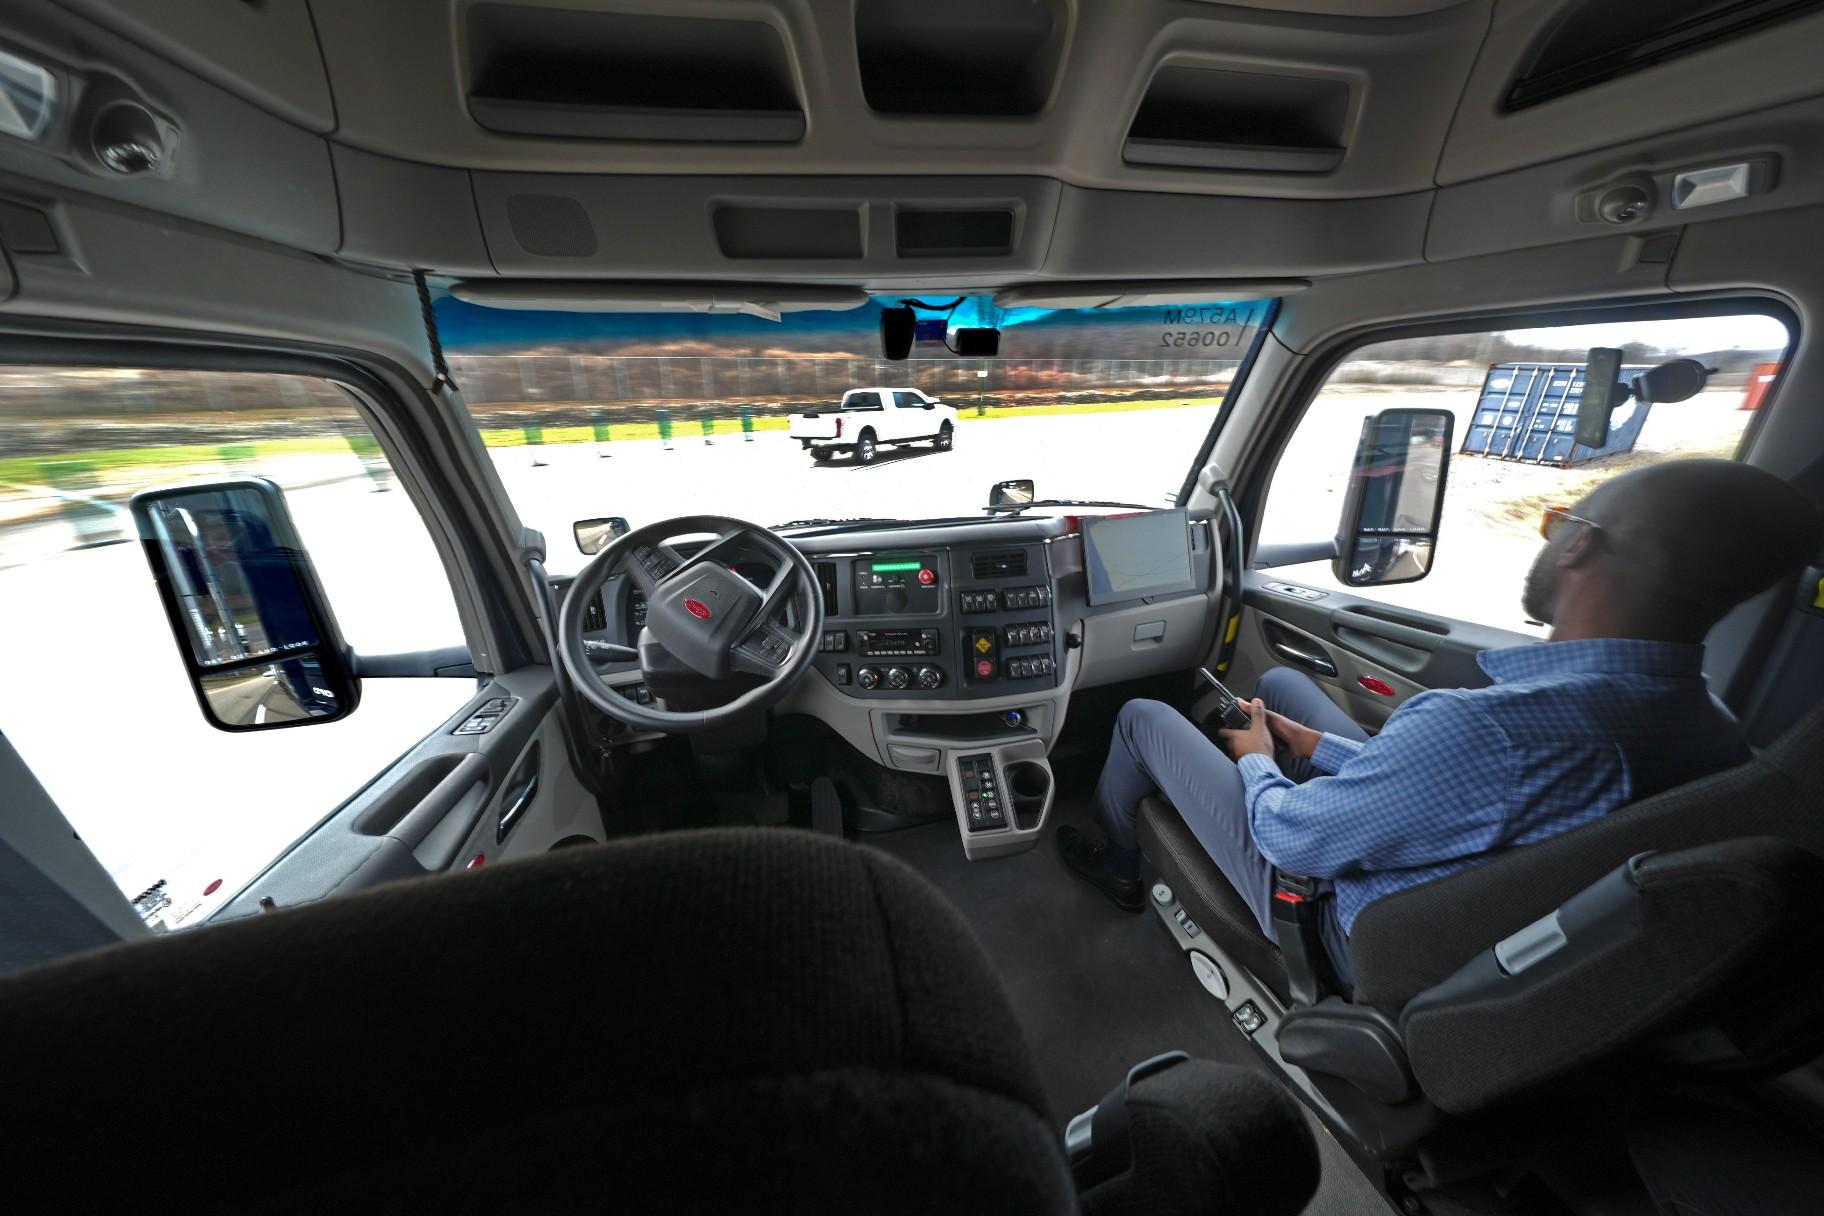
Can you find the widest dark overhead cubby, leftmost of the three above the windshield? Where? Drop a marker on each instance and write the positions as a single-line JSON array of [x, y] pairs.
[[627, 77]]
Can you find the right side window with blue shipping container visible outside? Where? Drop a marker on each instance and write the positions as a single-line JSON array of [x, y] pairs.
[[1513, 442]]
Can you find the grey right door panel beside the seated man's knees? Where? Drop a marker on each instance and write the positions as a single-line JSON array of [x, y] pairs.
[[1369, 657]]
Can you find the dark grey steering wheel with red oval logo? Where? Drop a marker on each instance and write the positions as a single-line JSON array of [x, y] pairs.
[[701, 615]]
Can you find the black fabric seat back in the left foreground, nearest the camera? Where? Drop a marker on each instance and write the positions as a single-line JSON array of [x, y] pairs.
[[767, 1020]]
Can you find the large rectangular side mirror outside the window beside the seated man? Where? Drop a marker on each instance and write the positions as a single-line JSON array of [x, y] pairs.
[[1389, 528]]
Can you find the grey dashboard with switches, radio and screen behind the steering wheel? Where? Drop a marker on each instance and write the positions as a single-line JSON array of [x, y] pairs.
[[955, 648]]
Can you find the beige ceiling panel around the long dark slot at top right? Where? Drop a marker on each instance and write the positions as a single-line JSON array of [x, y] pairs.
[[1754, 72]]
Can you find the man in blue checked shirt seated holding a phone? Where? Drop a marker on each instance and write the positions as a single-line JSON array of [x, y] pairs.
[[1612, 710]]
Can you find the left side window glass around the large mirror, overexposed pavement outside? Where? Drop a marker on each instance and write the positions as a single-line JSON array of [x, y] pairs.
[[99, 705]]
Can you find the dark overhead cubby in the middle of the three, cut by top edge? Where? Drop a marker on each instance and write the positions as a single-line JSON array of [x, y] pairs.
[[959, 57]]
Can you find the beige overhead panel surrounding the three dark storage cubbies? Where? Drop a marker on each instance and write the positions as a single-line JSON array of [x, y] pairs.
[[399, 70]]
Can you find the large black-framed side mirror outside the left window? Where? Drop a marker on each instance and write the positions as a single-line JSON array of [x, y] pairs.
[[249, 615]]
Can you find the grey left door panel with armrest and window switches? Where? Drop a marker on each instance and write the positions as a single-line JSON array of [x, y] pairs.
[[501, 794]]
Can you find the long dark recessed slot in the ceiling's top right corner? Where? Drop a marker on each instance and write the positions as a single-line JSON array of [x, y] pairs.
[[1604, 39]]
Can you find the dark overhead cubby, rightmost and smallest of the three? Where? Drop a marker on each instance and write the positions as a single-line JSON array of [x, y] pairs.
[[1254, 123]]
